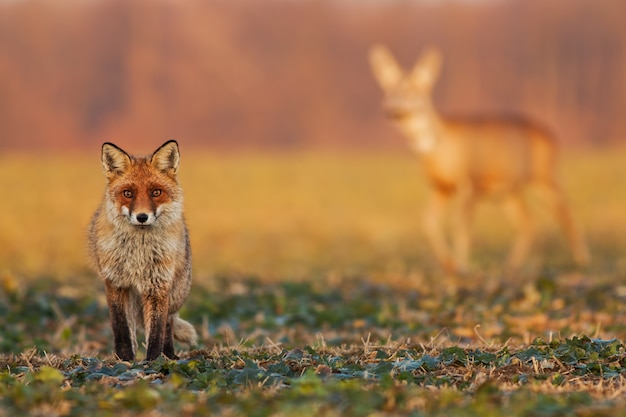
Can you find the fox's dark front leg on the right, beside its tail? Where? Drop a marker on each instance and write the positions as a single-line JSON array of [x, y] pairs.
[[155, 310]]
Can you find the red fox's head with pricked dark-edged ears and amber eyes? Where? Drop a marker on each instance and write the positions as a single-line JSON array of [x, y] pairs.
[[142, 191]]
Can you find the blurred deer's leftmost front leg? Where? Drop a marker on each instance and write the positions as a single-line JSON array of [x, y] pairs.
[[433, 227]]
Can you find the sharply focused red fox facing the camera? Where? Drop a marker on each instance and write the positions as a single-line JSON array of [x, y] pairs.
[[139, 245]]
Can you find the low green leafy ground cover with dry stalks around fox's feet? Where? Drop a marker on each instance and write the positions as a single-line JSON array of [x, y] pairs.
[[310, 349]]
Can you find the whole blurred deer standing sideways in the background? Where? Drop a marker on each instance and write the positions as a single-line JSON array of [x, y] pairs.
[[470, 158]]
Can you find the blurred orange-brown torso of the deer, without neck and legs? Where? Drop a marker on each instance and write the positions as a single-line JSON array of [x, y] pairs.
[[490, 156]]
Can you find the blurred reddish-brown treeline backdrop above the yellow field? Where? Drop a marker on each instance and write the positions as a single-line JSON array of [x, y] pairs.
[[286, 73]]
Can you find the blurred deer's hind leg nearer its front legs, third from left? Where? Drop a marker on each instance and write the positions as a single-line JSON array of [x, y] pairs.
[[517, 211]]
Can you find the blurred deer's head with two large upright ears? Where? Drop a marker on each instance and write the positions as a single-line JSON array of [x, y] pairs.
[[406, 93]]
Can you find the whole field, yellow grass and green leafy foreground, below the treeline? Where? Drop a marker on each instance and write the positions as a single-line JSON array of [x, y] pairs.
[[315, 294]]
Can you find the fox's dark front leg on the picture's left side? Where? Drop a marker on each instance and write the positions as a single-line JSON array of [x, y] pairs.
[[117, 299]]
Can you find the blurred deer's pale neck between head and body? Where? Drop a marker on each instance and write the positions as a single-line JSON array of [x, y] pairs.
[[423, 131]]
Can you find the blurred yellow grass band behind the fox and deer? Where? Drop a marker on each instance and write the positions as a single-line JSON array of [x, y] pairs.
[[292, 215]]
